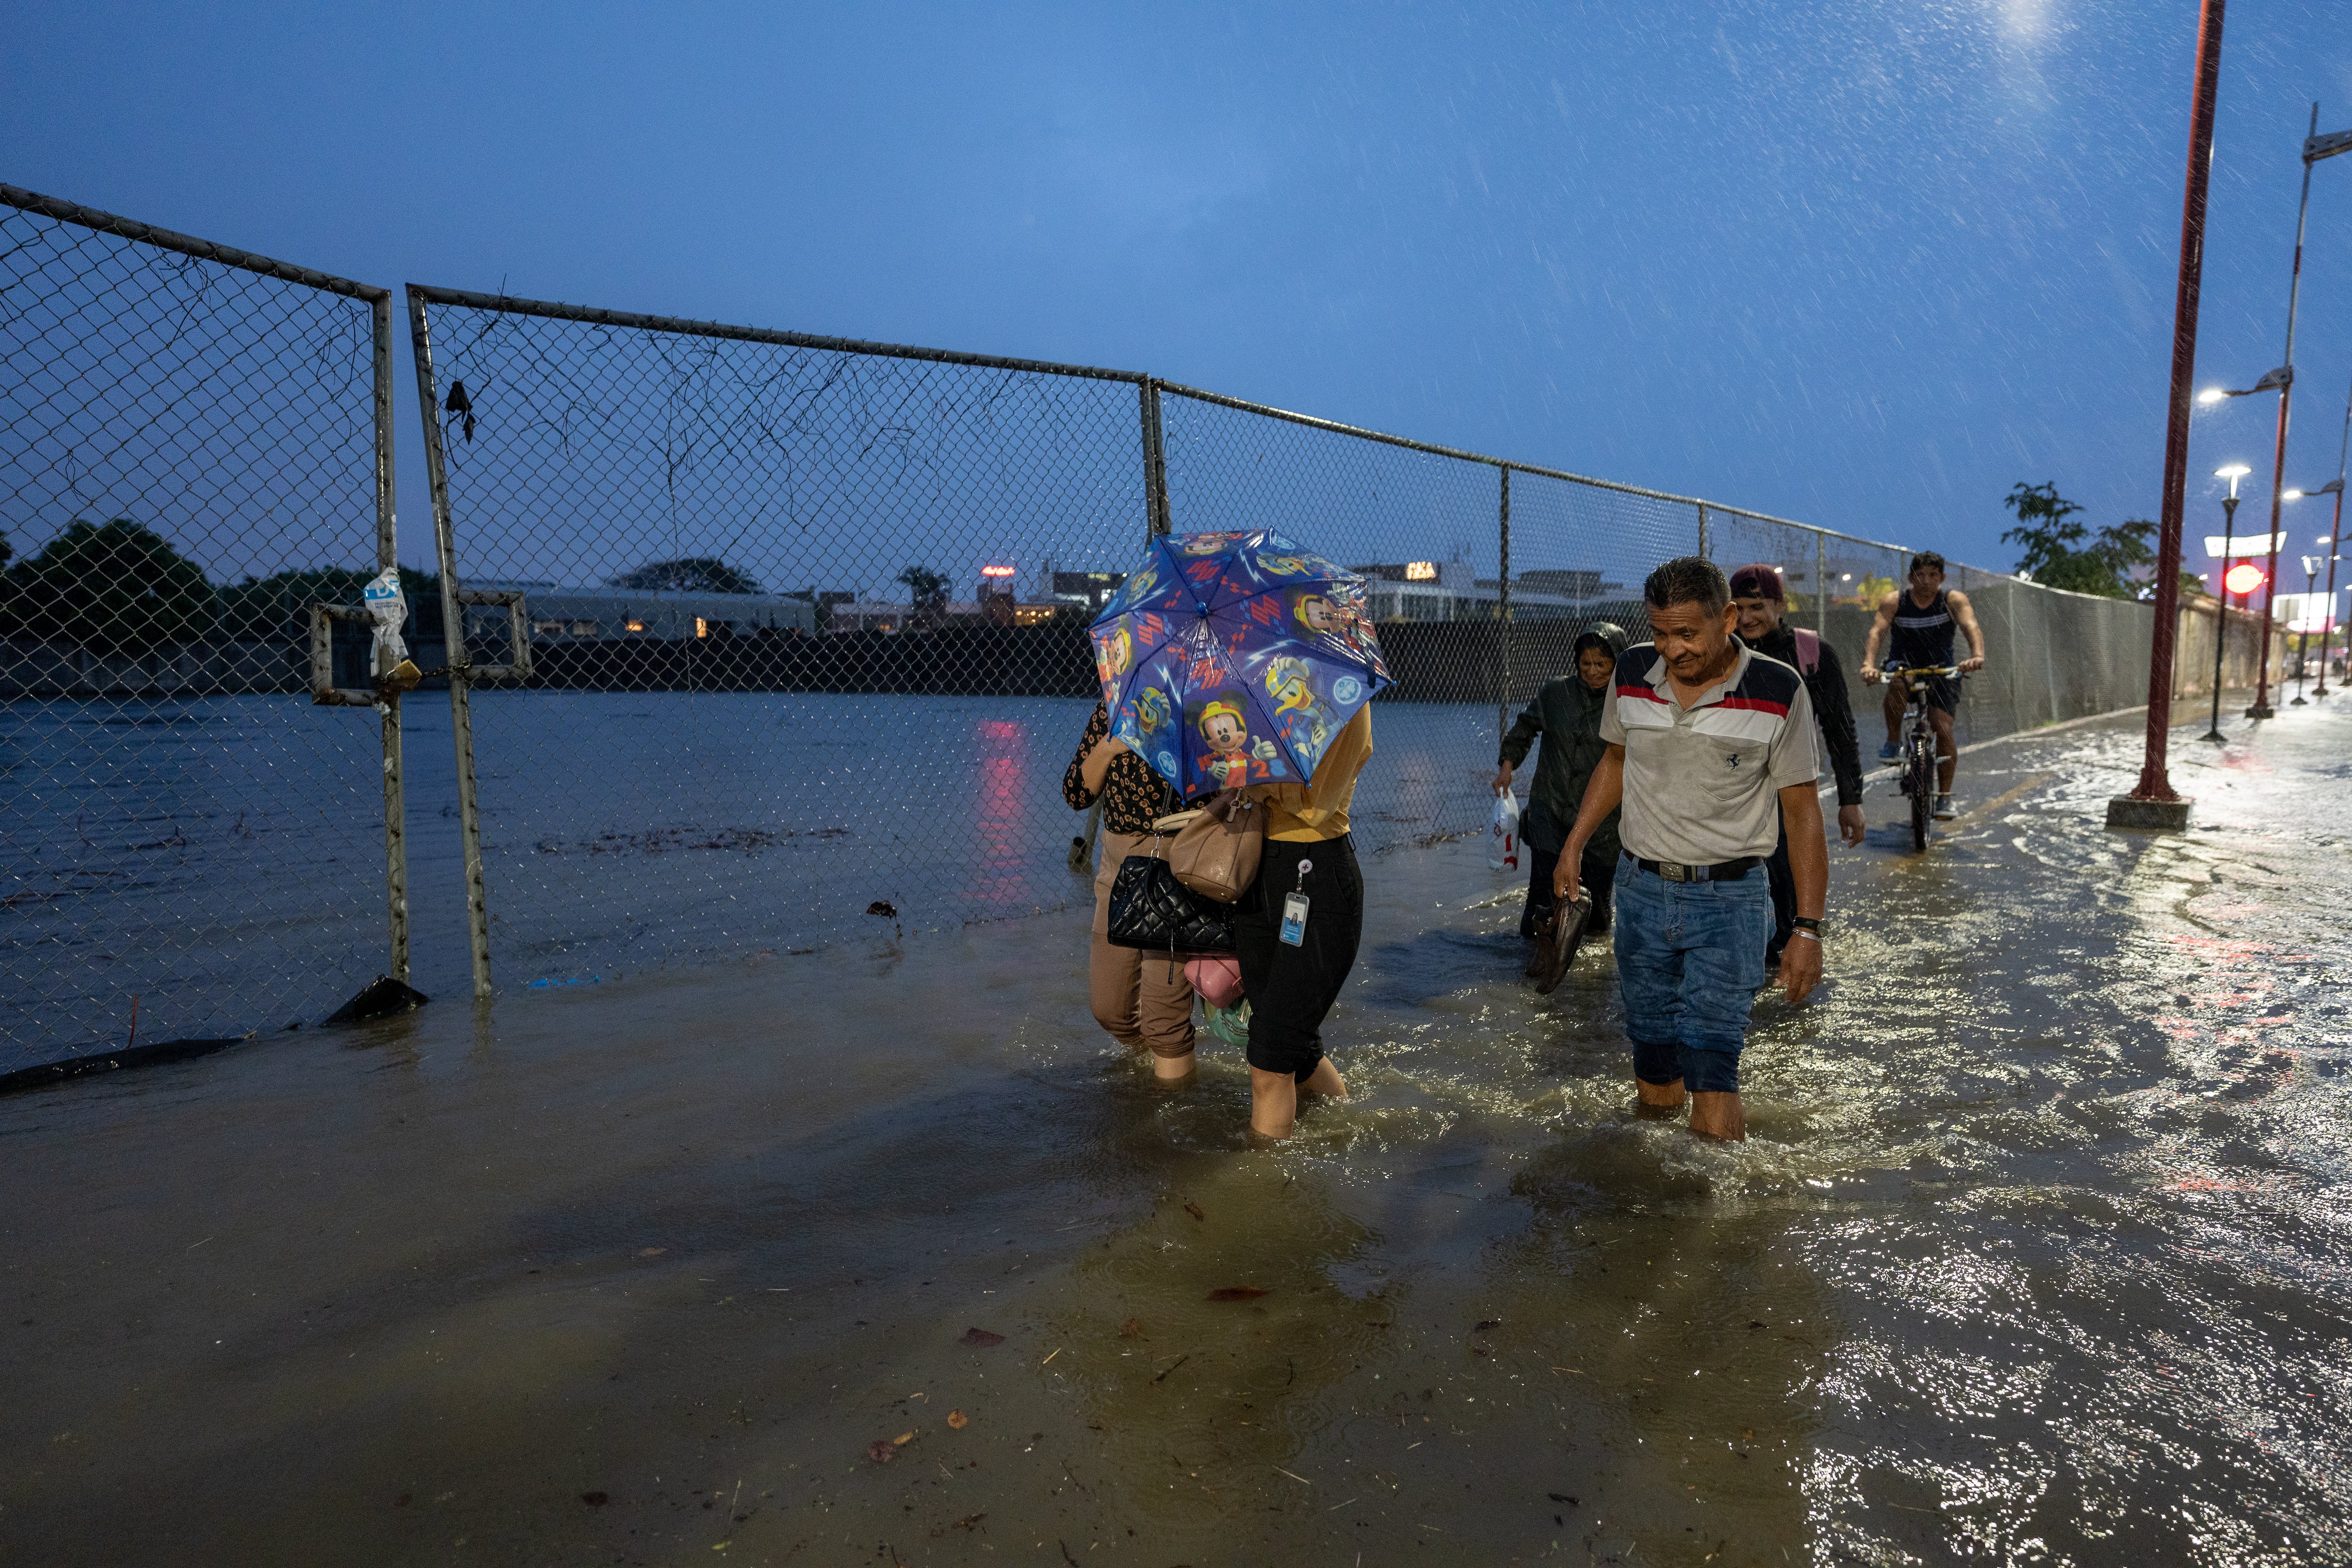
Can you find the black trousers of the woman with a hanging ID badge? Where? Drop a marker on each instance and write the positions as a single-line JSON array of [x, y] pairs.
[[1292, 989]]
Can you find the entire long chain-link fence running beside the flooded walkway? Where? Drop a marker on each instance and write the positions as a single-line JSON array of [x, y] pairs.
[[749, 638]]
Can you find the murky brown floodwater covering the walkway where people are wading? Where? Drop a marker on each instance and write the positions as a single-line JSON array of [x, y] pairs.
[[2038, 1254]]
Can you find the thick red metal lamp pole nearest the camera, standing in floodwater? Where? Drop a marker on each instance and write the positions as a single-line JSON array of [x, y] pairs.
[[2177, 436]]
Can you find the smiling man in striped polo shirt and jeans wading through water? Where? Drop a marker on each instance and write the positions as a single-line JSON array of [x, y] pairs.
[[1711, 751]]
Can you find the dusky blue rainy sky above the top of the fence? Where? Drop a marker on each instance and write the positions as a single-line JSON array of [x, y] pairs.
[[1859, 264]]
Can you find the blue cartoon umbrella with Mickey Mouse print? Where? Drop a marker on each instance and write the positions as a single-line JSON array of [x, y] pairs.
[[1234, 659]]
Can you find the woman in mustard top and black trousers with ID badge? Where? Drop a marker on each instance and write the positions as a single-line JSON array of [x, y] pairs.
[[1292, 984]]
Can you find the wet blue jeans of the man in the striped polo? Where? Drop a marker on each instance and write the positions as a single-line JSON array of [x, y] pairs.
[[1690, 963]]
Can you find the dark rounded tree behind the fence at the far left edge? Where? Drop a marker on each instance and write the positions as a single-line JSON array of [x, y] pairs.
[[114, 589]]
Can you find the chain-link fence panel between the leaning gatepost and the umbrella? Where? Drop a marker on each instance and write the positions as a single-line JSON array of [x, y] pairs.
[[763, 631]]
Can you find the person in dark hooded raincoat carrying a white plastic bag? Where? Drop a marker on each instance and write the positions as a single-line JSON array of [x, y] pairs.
[[1568, 713]]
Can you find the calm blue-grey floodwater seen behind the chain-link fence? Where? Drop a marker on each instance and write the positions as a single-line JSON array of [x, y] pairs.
[[222, 859]]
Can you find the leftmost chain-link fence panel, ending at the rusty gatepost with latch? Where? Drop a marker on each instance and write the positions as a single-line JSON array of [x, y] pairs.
[[194, 455]]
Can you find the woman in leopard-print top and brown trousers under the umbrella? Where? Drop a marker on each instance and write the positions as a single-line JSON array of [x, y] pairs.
[[1144, 1003]]
